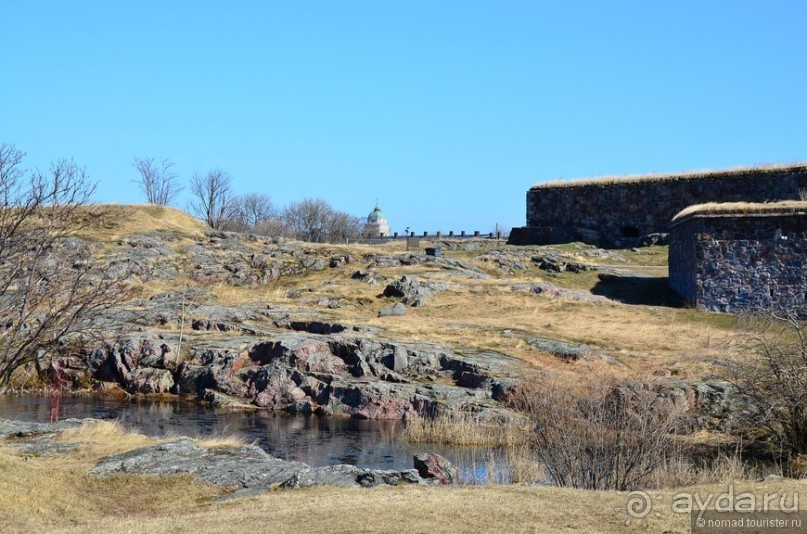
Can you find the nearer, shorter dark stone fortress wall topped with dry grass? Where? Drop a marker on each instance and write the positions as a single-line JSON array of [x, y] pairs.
[[749, 258]]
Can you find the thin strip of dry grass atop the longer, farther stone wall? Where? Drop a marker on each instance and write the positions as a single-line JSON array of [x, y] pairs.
[[672, 177]]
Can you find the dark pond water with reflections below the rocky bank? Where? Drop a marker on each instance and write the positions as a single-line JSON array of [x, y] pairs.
[[317, 441]]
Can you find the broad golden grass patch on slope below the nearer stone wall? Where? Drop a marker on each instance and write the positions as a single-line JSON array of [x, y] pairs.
[[642, 338]]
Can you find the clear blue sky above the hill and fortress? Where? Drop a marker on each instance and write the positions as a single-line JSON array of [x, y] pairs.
[[444, 111]]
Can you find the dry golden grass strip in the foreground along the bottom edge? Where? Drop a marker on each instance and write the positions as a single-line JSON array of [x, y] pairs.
[[178, 505]]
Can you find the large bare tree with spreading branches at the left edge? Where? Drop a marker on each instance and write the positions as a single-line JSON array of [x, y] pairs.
[[50, 286]]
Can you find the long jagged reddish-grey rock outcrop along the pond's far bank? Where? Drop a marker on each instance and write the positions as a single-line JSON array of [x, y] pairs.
[[332, 374]]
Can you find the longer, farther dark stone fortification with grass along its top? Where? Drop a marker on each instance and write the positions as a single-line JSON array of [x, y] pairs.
[[616, 211]]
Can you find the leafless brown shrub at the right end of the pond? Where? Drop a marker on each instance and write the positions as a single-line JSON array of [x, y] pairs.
[[599, 434]]
